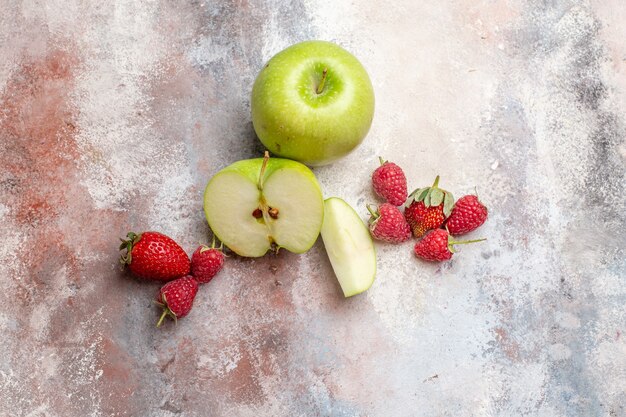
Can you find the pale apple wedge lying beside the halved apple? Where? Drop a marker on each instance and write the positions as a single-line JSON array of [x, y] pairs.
[[349, 247]]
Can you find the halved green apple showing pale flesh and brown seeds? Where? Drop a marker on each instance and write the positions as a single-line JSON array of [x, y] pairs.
[[258, 204]]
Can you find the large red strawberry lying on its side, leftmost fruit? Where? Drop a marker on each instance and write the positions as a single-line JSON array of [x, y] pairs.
[[155, 256]]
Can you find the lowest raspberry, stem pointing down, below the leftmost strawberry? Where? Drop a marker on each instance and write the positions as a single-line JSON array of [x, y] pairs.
[[176, 297]]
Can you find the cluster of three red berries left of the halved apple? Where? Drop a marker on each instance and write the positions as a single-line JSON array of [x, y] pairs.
[[155, 256]]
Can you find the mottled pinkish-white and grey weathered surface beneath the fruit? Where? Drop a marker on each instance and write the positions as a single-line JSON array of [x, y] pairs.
[[114, 115]]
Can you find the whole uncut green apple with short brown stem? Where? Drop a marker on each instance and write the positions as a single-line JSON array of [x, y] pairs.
[[295, 122]]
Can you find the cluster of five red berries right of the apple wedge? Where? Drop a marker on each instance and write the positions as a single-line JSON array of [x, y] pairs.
[[430, 214]]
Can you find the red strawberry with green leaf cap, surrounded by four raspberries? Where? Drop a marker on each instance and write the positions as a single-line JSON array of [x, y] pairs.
[[429, 208]]
